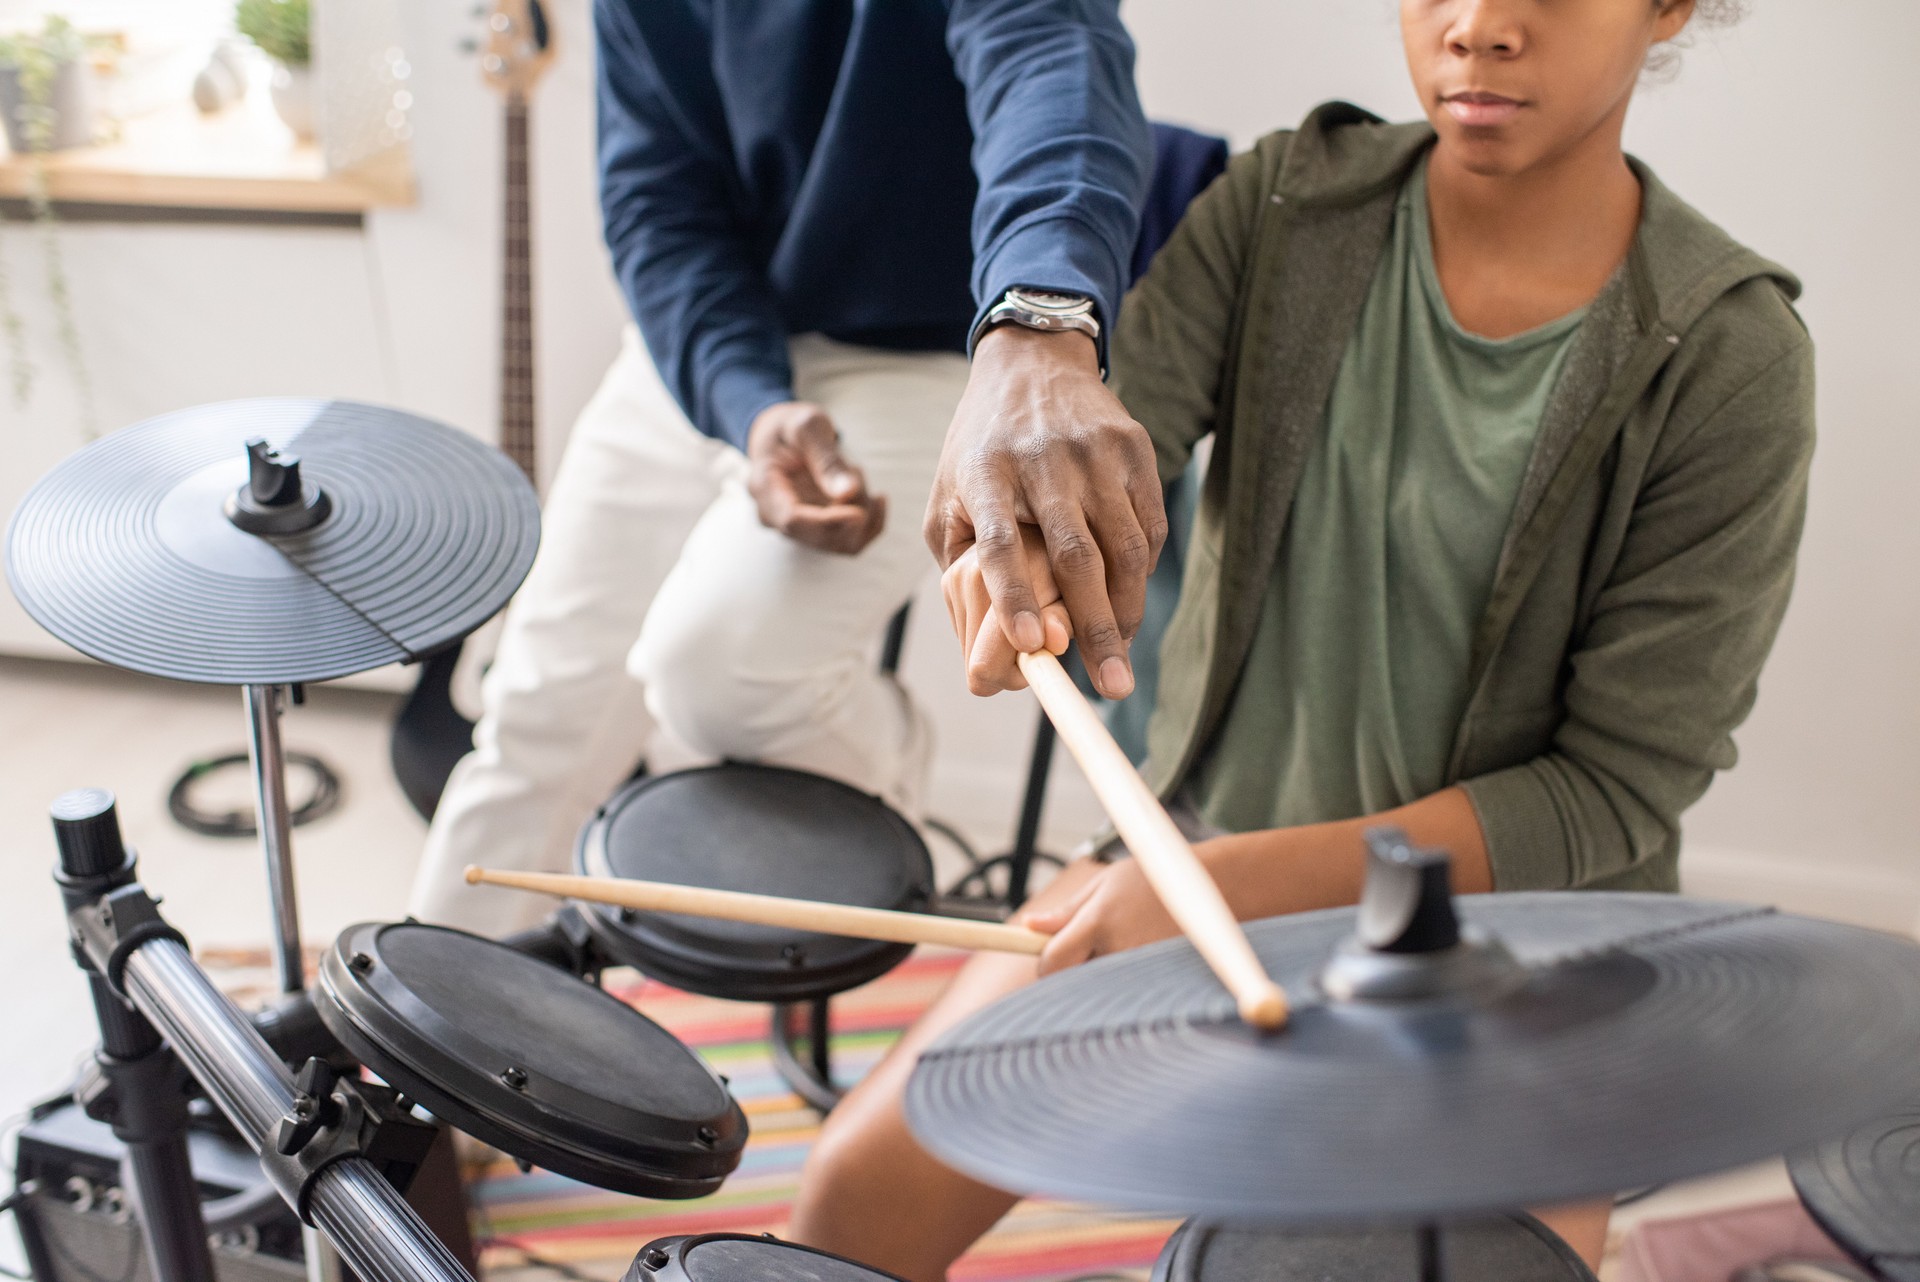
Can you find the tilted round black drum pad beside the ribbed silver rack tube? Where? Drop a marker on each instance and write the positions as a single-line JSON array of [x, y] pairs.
[[531, 1060]]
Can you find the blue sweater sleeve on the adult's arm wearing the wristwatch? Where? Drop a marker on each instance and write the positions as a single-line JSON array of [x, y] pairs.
[[1061, 147]]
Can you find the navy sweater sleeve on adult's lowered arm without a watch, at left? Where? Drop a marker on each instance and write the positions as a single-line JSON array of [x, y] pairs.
[[690, 277]]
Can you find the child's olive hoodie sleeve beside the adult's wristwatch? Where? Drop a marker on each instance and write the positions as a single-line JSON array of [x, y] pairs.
[[1176, 331]]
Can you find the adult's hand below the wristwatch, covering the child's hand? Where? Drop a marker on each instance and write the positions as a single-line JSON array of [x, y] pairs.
[[1040, 440]]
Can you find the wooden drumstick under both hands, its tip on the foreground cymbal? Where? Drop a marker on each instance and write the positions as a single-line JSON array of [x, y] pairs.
[[1170, 865]]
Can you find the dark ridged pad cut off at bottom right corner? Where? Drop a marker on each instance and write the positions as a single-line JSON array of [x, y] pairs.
[[1865, 1191]]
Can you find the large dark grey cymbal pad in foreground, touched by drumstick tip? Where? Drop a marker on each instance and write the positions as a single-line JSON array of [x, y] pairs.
[[1650, 1039]]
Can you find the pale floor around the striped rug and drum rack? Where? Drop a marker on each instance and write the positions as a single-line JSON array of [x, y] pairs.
[[66, 726]]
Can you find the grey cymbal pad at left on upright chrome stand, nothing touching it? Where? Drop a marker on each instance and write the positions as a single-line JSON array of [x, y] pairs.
[[356, 536]]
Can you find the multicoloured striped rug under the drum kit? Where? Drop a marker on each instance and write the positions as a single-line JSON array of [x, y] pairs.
[[596, 1233]]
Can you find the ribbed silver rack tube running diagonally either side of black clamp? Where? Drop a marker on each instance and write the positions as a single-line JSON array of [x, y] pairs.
[[375, 1231]]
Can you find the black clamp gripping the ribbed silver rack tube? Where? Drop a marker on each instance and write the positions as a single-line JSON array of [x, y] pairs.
[[333, 1120]]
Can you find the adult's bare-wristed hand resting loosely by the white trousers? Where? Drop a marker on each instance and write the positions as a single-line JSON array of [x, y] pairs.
[[804, 487]]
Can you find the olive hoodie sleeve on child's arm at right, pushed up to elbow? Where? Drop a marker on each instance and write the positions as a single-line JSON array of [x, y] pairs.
[[1671, 657]]
